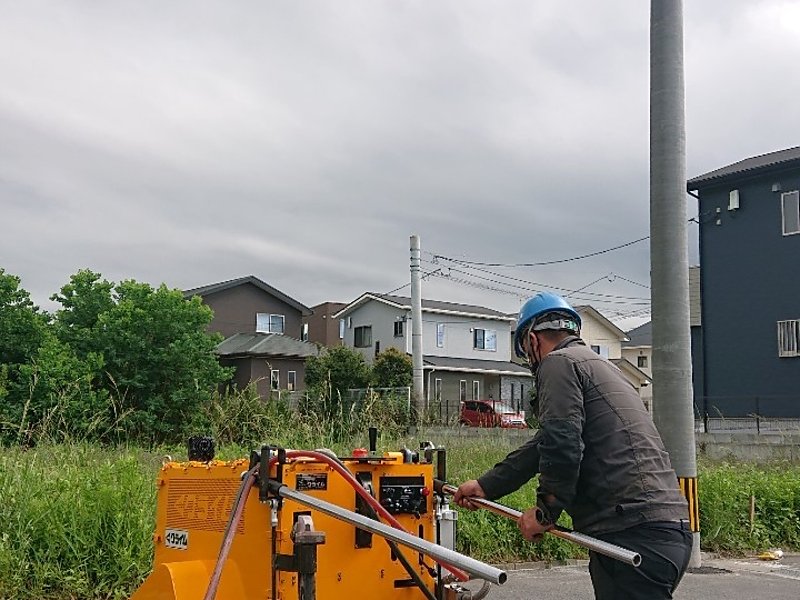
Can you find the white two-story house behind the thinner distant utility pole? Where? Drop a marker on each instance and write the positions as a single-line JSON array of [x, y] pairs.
[[466, 350]]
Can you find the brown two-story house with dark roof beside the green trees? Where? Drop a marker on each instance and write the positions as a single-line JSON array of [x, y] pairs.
[[262, 328]]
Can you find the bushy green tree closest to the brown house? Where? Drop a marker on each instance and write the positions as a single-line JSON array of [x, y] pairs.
[[158, 360]]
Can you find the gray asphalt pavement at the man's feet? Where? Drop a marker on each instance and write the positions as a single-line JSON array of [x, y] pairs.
[[717, 579]]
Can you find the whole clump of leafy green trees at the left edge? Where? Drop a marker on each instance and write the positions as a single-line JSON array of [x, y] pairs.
[[125, 361]]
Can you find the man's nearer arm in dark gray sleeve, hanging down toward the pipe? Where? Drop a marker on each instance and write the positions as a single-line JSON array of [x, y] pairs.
[[561, 416]]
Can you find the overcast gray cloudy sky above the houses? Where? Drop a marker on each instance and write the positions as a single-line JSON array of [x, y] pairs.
[[303, 142]]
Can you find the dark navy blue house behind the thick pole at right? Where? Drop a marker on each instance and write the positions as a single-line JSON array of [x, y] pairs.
[[749, 218]]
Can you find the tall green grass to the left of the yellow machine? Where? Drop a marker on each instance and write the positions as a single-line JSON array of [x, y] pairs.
[[76, 521]]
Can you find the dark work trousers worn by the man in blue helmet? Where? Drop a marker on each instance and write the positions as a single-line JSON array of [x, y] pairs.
[[665, 548]]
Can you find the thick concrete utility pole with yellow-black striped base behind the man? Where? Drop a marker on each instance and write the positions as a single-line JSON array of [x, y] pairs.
[[669, 262]]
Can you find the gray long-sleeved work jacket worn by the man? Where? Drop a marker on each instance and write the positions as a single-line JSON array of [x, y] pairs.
[[597, 451]]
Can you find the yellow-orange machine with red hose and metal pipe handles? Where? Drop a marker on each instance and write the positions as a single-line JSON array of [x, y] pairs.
[[306, 524]]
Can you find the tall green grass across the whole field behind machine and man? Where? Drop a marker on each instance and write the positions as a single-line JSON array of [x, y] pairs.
[[76, 521]]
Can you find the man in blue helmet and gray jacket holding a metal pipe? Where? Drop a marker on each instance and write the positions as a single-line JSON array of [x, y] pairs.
[[599, 457]]
